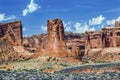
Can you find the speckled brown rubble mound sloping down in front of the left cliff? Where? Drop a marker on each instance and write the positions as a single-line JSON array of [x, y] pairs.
[[8, 53]]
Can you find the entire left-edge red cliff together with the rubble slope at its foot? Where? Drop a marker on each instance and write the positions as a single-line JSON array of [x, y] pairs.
[[11, 48]]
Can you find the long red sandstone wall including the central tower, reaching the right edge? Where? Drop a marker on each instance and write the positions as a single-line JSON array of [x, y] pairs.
[[74, 45]]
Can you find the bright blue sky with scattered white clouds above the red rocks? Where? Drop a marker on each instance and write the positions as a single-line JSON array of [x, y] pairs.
[[78, 15]]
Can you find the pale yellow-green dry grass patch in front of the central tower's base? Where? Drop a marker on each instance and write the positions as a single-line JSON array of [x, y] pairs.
[[41, 65]]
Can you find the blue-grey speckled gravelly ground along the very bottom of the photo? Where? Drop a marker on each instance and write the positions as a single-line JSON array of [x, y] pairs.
[[35, 75]]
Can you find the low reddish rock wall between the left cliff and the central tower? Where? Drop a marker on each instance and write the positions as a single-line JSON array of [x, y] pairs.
[[35, 42]]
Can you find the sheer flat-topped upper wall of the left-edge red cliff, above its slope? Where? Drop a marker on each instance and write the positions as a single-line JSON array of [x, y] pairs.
[[12, 32]]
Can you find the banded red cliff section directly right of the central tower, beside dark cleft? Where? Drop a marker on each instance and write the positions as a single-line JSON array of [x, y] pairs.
[[75, 44]]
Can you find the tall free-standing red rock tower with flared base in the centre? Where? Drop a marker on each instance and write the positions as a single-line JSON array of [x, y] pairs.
[[55, 40]]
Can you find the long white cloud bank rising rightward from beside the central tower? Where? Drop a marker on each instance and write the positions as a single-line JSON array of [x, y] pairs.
[[81, 27]]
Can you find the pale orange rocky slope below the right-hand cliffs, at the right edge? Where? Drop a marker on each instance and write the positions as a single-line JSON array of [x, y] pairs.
[[102, 55]]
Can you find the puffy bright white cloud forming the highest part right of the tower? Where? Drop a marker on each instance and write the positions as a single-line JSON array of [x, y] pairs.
[[96, 21]]
